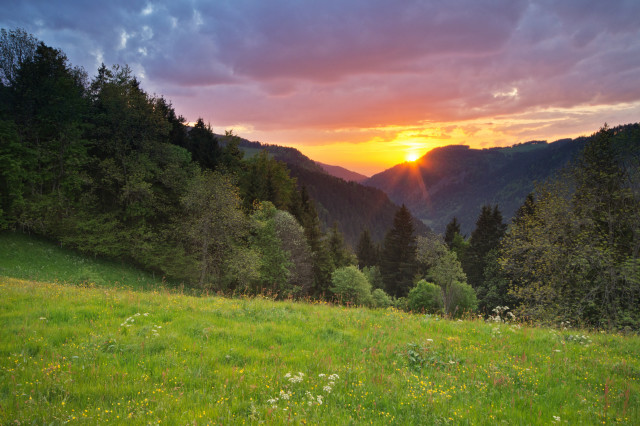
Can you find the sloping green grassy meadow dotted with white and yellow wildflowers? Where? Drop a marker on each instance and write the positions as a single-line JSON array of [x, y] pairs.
[[72, 351]]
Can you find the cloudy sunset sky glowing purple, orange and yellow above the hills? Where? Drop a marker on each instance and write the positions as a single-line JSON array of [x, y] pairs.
[[365, 84]]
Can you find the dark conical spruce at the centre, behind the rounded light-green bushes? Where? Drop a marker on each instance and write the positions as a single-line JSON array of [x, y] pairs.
[[398, 254]]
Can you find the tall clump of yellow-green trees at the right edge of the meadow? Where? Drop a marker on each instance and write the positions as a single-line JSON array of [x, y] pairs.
[[572, 254]]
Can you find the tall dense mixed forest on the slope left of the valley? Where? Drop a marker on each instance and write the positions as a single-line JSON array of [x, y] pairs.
[[103, 167]]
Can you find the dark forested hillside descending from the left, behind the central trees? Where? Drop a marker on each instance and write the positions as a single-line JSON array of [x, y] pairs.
[[353, 206]]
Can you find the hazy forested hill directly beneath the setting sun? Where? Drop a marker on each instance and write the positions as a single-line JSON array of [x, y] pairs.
[[457, 180]]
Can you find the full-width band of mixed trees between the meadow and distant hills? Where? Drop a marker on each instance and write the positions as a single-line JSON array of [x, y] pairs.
[[99, 165]]
